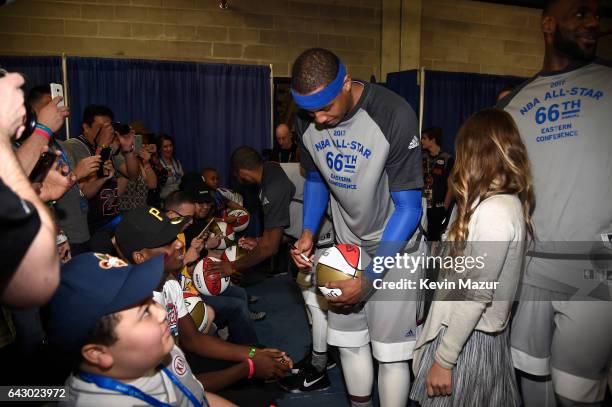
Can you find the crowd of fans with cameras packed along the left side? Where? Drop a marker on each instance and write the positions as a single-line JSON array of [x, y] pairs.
[[114, 197]]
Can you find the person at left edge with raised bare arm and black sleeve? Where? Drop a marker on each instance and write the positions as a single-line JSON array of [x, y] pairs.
[[30, 272]]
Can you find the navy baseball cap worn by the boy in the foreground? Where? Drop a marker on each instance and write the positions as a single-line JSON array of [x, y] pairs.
[[93, 285]]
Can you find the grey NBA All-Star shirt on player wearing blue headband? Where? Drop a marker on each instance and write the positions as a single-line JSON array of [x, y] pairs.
[[374, 151]]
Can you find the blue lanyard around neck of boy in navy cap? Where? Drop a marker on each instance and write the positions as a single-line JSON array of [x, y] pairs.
[[112, 384]]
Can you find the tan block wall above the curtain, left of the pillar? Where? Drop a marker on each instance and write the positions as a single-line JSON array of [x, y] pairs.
[[250, 32]]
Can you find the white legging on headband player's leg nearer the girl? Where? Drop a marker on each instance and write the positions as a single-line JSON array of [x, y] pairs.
[[393, 383]]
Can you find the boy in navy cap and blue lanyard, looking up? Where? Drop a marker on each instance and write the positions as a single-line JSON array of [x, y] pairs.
[[103, 314]]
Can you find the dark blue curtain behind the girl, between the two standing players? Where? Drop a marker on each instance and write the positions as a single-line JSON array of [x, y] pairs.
[[451, 97]]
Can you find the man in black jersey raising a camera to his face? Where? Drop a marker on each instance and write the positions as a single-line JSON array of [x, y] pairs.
[[113, 145]]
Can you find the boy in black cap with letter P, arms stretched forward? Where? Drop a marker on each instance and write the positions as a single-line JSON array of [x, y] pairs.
[[145, 233]]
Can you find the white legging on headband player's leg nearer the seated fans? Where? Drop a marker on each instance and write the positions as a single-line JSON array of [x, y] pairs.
[[358, 370]]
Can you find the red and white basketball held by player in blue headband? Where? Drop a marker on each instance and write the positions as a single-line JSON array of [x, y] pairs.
[[340, 262]]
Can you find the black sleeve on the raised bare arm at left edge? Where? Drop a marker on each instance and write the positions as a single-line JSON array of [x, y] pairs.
[[19, 223]]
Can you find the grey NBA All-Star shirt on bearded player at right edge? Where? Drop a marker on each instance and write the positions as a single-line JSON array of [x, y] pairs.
[[565, 121]]
